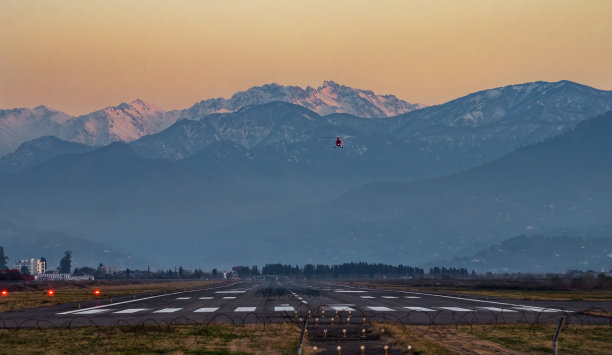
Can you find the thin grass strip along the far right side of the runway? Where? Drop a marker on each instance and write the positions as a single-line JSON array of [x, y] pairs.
[[604, 295]]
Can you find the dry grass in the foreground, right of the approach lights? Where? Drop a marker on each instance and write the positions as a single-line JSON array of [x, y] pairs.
[[500, 339]]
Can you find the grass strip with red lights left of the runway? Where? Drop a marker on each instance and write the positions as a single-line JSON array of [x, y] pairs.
[[34, 295]]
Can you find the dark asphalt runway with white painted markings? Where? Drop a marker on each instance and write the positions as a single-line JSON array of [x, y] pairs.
[[278, 301]]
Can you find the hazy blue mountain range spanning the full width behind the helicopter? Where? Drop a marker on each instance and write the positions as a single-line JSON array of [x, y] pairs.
[[263, 182]]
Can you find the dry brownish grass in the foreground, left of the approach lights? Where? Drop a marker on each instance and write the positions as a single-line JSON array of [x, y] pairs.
[[175, 339]]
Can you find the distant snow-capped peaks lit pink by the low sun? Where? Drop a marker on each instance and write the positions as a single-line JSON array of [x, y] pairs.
[[130, 121]]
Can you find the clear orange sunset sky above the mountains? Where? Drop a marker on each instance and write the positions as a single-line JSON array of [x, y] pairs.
[[79, 56]]
